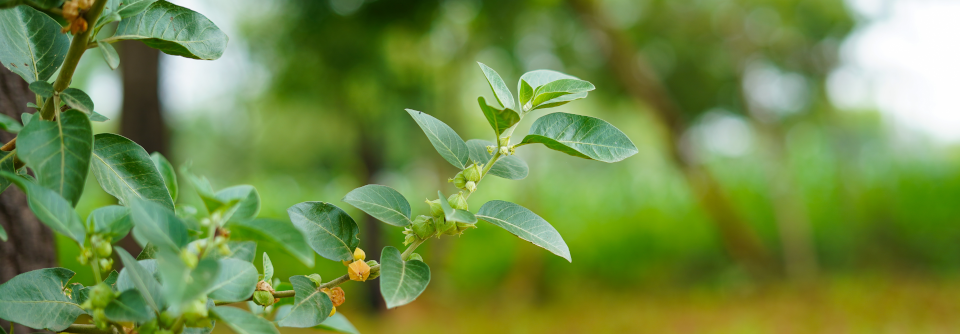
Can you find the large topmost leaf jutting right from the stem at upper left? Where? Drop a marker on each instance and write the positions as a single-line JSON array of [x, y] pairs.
[[174, 30]]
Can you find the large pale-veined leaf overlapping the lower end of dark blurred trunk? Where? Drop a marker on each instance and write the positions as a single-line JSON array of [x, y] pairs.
[[125, 170]]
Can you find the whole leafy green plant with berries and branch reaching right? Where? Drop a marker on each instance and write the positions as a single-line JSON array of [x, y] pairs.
[[196, 261]]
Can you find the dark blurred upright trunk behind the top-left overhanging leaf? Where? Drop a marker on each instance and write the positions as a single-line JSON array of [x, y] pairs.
[[140, 117]]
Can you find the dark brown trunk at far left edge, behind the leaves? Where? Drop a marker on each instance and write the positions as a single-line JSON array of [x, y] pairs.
[[30, 245]]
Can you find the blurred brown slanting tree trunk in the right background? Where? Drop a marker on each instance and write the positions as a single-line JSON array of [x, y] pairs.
[[640, 81]]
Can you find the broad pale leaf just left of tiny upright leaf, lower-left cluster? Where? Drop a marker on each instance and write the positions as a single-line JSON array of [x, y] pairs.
[[235, 282]]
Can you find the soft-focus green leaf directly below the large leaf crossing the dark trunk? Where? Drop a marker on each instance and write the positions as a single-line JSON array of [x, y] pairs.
[[158, 226]]
